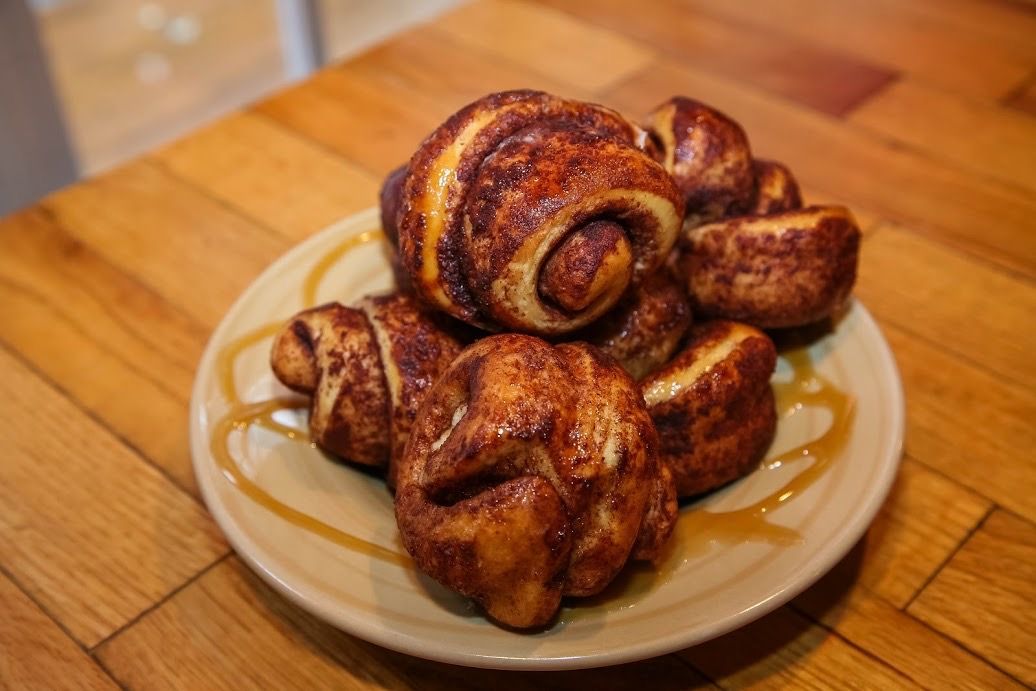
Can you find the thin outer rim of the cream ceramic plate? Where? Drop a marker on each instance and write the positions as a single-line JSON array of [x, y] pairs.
[[371, 630]]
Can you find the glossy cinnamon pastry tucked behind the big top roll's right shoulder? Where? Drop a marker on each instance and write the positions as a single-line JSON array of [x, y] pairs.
[[708, 156]]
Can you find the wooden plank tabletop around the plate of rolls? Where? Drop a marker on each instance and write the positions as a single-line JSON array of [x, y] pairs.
[[920, 117]]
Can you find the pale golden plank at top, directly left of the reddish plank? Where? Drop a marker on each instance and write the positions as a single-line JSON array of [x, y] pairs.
[[552, 43]]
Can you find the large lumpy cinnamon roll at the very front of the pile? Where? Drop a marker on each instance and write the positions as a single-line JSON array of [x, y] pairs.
[[532, 473]]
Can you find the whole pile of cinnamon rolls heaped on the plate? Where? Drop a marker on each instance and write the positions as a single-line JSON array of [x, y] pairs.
[[536, 391]]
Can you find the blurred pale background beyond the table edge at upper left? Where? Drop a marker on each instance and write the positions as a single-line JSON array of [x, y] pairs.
[[101, 81]]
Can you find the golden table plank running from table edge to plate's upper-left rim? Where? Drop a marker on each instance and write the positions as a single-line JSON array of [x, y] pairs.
[[185, 246]]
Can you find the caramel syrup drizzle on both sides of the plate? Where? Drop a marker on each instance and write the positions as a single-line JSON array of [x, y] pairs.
[[696, 530]]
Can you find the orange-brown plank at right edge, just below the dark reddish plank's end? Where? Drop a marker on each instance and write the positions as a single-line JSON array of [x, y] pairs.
[[984, 138]]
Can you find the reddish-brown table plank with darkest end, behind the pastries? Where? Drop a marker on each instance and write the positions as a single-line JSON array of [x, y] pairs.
[[801, 71]]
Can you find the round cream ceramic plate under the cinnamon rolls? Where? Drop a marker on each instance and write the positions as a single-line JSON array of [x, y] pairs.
[[713, 584]]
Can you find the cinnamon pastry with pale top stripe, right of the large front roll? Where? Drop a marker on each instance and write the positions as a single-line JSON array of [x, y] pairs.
[[713, 406]]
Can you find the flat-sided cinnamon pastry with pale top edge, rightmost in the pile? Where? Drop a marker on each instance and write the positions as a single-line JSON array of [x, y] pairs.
[[785, 270]]
